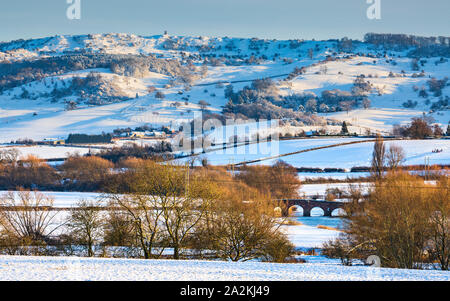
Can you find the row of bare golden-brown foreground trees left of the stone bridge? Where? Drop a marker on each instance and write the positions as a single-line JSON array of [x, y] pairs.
[[151, 210]]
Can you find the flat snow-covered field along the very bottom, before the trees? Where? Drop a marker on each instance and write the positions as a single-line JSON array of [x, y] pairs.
[[86, 269]]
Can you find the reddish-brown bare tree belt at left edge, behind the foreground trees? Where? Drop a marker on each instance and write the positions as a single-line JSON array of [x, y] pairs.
[[77, 173]]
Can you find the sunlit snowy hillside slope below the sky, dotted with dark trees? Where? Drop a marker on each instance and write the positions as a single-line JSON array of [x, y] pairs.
[[45, 107]]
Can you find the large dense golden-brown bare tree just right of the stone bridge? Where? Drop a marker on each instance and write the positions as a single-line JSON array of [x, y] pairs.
[[393, 222]]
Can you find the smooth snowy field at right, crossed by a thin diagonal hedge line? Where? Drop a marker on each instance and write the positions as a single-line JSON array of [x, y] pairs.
[[346, 156]]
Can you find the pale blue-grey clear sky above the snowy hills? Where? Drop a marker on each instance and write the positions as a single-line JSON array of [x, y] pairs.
[[280, 19]]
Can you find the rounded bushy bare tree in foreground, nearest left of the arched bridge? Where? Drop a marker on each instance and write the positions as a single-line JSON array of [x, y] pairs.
[[241, 231]]
